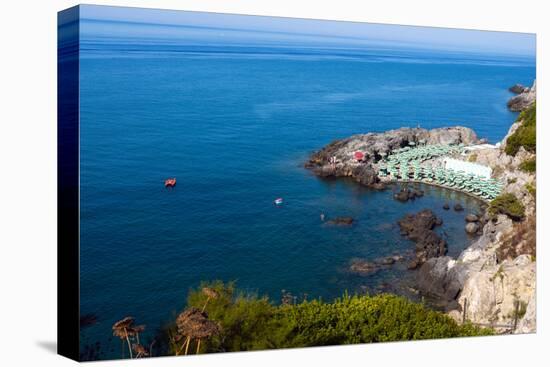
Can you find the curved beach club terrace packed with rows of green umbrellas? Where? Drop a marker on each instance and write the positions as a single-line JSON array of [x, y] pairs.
[[433, 164]]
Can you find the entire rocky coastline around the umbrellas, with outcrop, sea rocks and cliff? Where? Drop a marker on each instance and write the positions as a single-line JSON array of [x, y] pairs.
[[492, 282]]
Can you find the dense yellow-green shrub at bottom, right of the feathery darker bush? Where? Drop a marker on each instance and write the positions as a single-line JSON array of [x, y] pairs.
[[364, 319]]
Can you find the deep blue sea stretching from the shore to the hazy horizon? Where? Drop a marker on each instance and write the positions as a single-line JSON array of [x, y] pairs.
[[234, 123]]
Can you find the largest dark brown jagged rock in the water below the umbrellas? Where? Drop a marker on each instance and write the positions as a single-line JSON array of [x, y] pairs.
[[419, 229]]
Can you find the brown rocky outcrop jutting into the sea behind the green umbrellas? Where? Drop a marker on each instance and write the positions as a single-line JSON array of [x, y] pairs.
[[338, 158]]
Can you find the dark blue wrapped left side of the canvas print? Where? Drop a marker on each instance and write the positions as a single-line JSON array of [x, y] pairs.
[[68, 184]]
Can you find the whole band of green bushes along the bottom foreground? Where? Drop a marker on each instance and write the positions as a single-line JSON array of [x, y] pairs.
[[248, 322]]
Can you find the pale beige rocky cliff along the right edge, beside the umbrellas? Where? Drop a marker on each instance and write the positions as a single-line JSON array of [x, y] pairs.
[[495, 277]]
